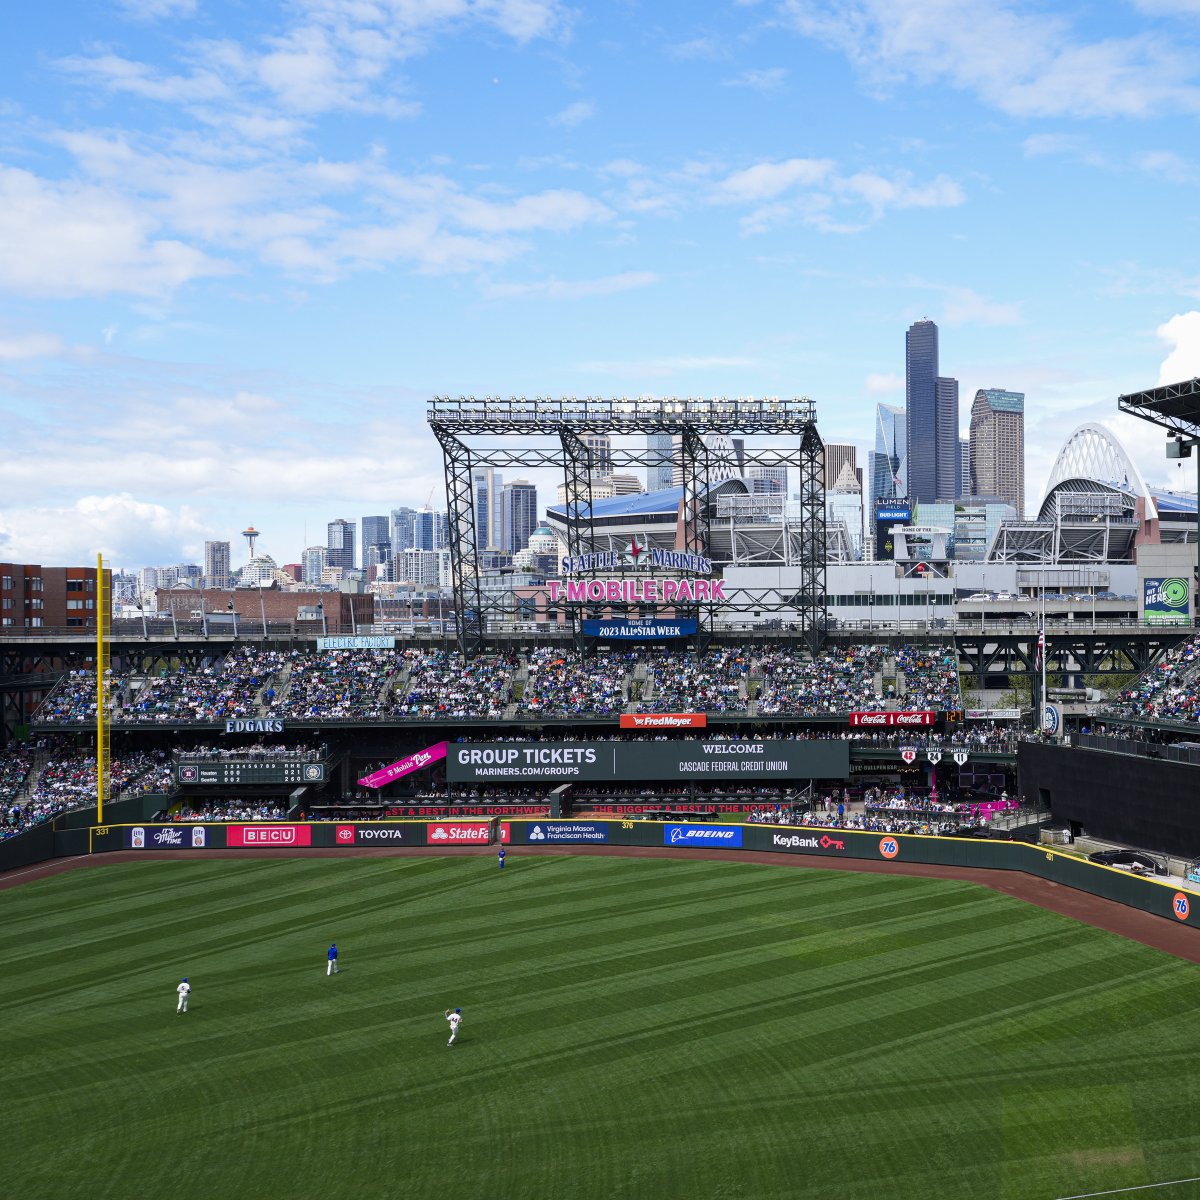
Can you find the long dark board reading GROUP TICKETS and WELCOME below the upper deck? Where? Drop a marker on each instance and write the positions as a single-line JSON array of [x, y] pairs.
[[483, 763]]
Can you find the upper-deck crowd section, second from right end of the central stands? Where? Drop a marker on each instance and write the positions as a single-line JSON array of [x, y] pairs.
[[838, 682]]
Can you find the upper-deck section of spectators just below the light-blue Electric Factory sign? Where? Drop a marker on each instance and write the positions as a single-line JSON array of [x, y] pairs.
[[338, 686]]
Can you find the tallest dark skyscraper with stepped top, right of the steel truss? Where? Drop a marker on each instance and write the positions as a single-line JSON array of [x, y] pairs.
[[932, 418]]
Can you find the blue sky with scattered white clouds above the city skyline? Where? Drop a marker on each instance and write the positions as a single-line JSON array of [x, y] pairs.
[[243, 243]]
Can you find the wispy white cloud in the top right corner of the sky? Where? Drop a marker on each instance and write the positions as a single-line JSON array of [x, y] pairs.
[[1027, 64]]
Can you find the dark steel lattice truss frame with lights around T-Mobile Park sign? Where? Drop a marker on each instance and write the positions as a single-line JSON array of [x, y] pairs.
[[549, 433]]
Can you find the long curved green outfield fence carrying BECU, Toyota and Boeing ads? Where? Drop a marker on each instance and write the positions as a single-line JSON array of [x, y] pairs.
[[831, 847]]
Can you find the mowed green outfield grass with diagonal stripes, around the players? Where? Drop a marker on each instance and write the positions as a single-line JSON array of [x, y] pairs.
[[633, 1028]]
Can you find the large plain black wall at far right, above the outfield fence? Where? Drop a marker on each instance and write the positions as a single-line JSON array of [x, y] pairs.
[[1150, 803]]
